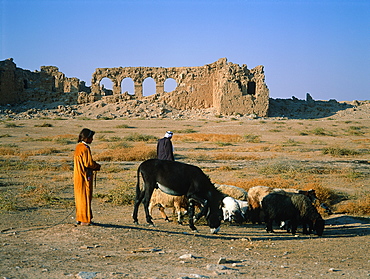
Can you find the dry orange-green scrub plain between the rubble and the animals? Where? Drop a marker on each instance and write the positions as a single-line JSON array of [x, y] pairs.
[[36, 158]]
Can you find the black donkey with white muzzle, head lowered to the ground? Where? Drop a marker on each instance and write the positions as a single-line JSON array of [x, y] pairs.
[[177, 179]]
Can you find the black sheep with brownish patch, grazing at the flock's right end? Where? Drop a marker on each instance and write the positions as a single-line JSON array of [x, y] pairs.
[[295, 207]]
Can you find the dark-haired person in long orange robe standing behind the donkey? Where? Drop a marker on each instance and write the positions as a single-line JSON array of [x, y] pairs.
[[83, 174]]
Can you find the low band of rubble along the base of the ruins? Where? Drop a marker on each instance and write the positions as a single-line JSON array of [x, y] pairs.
[[146, 109]]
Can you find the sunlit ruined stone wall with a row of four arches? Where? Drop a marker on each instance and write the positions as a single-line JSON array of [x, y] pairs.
[[227, 87]]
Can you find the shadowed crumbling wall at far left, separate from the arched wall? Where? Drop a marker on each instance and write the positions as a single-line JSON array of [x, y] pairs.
[[47, 85]]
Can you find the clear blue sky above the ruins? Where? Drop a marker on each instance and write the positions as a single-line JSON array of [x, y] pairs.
[[320, 47]]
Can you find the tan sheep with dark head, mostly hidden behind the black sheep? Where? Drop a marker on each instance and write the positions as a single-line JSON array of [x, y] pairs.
[[257, 193]]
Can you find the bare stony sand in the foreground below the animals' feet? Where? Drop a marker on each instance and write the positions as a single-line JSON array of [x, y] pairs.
[[46, 244]]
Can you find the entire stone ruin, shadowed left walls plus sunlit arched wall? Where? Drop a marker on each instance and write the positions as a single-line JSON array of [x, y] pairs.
[[224, 86]]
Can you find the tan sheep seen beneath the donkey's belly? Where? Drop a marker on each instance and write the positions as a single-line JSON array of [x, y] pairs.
[[164, 200]]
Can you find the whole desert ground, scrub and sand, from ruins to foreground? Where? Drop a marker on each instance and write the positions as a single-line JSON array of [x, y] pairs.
[[39, 238]]
